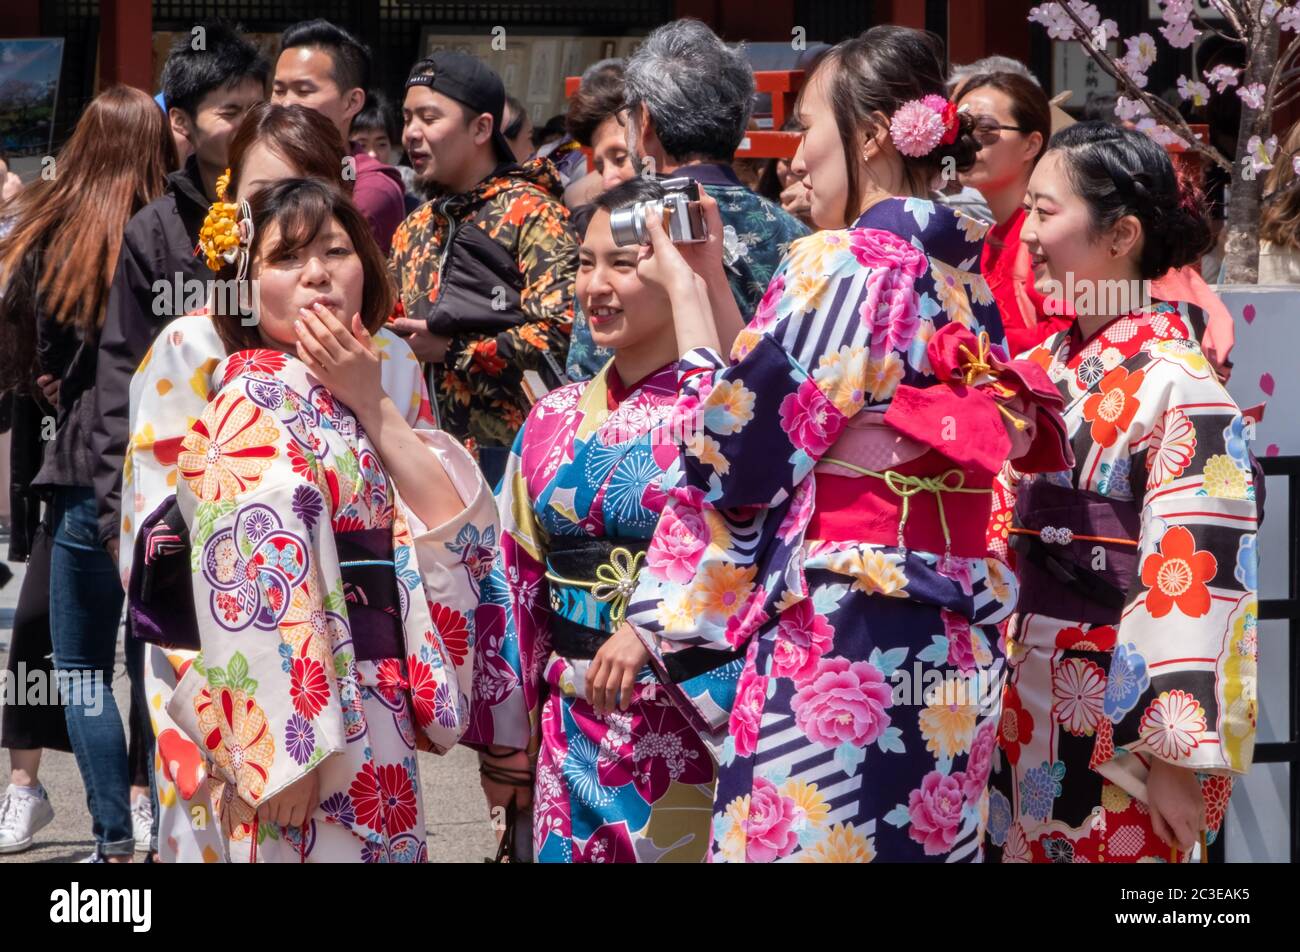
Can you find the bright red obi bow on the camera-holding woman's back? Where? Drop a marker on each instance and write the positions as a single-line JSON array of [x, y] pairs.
[[963, 417]]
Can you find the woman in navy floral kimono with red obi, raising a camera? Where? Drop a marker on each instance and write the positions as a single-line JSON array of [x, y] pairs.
[[830, 512]]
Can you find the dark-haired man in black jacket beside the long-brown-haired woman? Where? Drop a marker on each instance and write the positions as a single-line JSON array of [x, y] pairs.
[[159, 274]]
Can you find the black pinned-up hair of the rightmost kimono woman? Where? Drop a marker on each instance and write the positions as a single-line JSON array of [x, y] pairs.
[[1121, 172]]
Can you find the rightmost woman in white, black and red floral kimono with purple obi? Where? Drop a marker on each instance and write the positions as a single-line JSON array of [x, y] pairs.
[[1130, 704]]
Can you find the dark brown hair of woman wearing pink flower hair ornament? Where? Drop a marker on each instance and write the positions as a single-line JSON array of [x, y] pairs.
[[877, 73]]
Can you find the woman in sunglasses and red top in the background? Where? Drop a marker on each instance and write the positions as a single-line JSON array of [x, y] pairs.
[[1013, 124]]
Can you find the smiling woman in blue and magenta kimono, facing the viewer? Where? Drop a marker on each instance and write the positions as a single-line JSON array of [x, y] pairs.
[[621, 774]]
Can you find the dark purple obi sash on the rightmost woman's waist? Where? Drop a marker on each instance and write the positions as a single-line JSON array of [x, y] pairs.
[[1063, 575]]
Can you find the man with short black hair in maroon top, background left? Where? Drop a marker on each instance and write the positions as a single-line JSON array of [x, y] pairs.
[[326, 68]]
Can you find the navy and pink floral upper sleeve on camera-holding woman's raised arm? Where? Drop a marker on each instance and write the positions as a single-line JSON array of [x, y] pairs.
[[809, 362]]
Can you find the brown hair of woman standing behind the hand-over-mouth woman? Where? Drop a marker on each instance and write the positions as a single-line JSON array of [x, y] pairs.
[[300, 136]]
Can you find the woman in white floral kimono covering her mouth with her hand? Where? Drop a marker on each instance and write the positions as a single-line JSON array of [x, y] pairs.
[[332, 579]]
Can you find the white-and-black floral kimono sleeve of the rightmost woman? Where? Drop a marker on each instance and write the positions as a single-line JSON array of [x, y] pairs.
[[1182, 682]]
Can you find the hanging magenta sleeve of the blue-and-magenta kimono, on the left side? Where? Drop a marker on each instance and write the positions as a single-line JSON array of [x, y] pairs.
[[513, 622]]
